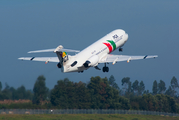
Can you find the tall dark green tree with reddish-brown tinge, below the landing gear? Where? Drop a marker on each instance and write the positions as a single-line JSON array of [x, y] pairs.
[[103, 96]]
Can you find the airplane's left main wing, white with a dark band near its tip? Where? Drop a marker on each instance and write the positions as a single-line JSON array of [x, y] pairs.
[[45, 59]]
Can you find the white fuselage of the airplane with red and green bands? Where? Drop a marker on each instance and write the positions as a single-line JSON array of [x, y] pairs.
[[96, 51]]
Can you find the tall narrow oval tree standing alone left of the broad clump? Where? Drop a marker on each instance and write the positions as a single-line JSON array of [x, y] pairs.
[[40, 90]]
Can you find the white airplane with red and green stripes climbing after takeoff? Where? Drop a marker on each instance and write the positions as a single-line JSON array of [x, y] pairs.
[[96, 53]]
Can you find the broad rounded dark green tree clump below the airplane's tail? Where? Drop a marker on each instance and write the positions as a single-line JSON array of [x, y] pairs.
[[69, 95]]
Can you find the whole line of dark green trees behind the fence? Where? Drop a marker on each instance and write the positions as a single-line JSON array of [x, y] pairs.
[[98, 93]]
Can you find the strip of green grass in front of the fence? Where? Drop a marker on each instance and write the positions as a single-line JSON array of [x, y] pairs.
[[85, 117]]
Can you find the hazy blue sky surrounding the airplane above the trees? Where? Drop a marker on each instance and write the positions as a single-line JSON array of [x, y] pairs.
[[32, 25]]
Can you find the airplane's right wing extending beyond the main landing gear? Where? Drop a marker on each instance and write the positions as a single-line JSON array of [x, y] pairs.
[[120, 58]]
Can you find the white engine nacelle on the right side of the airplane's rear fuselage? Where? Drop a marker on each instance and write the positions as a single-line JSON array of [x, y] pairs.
[[91, 62]]
